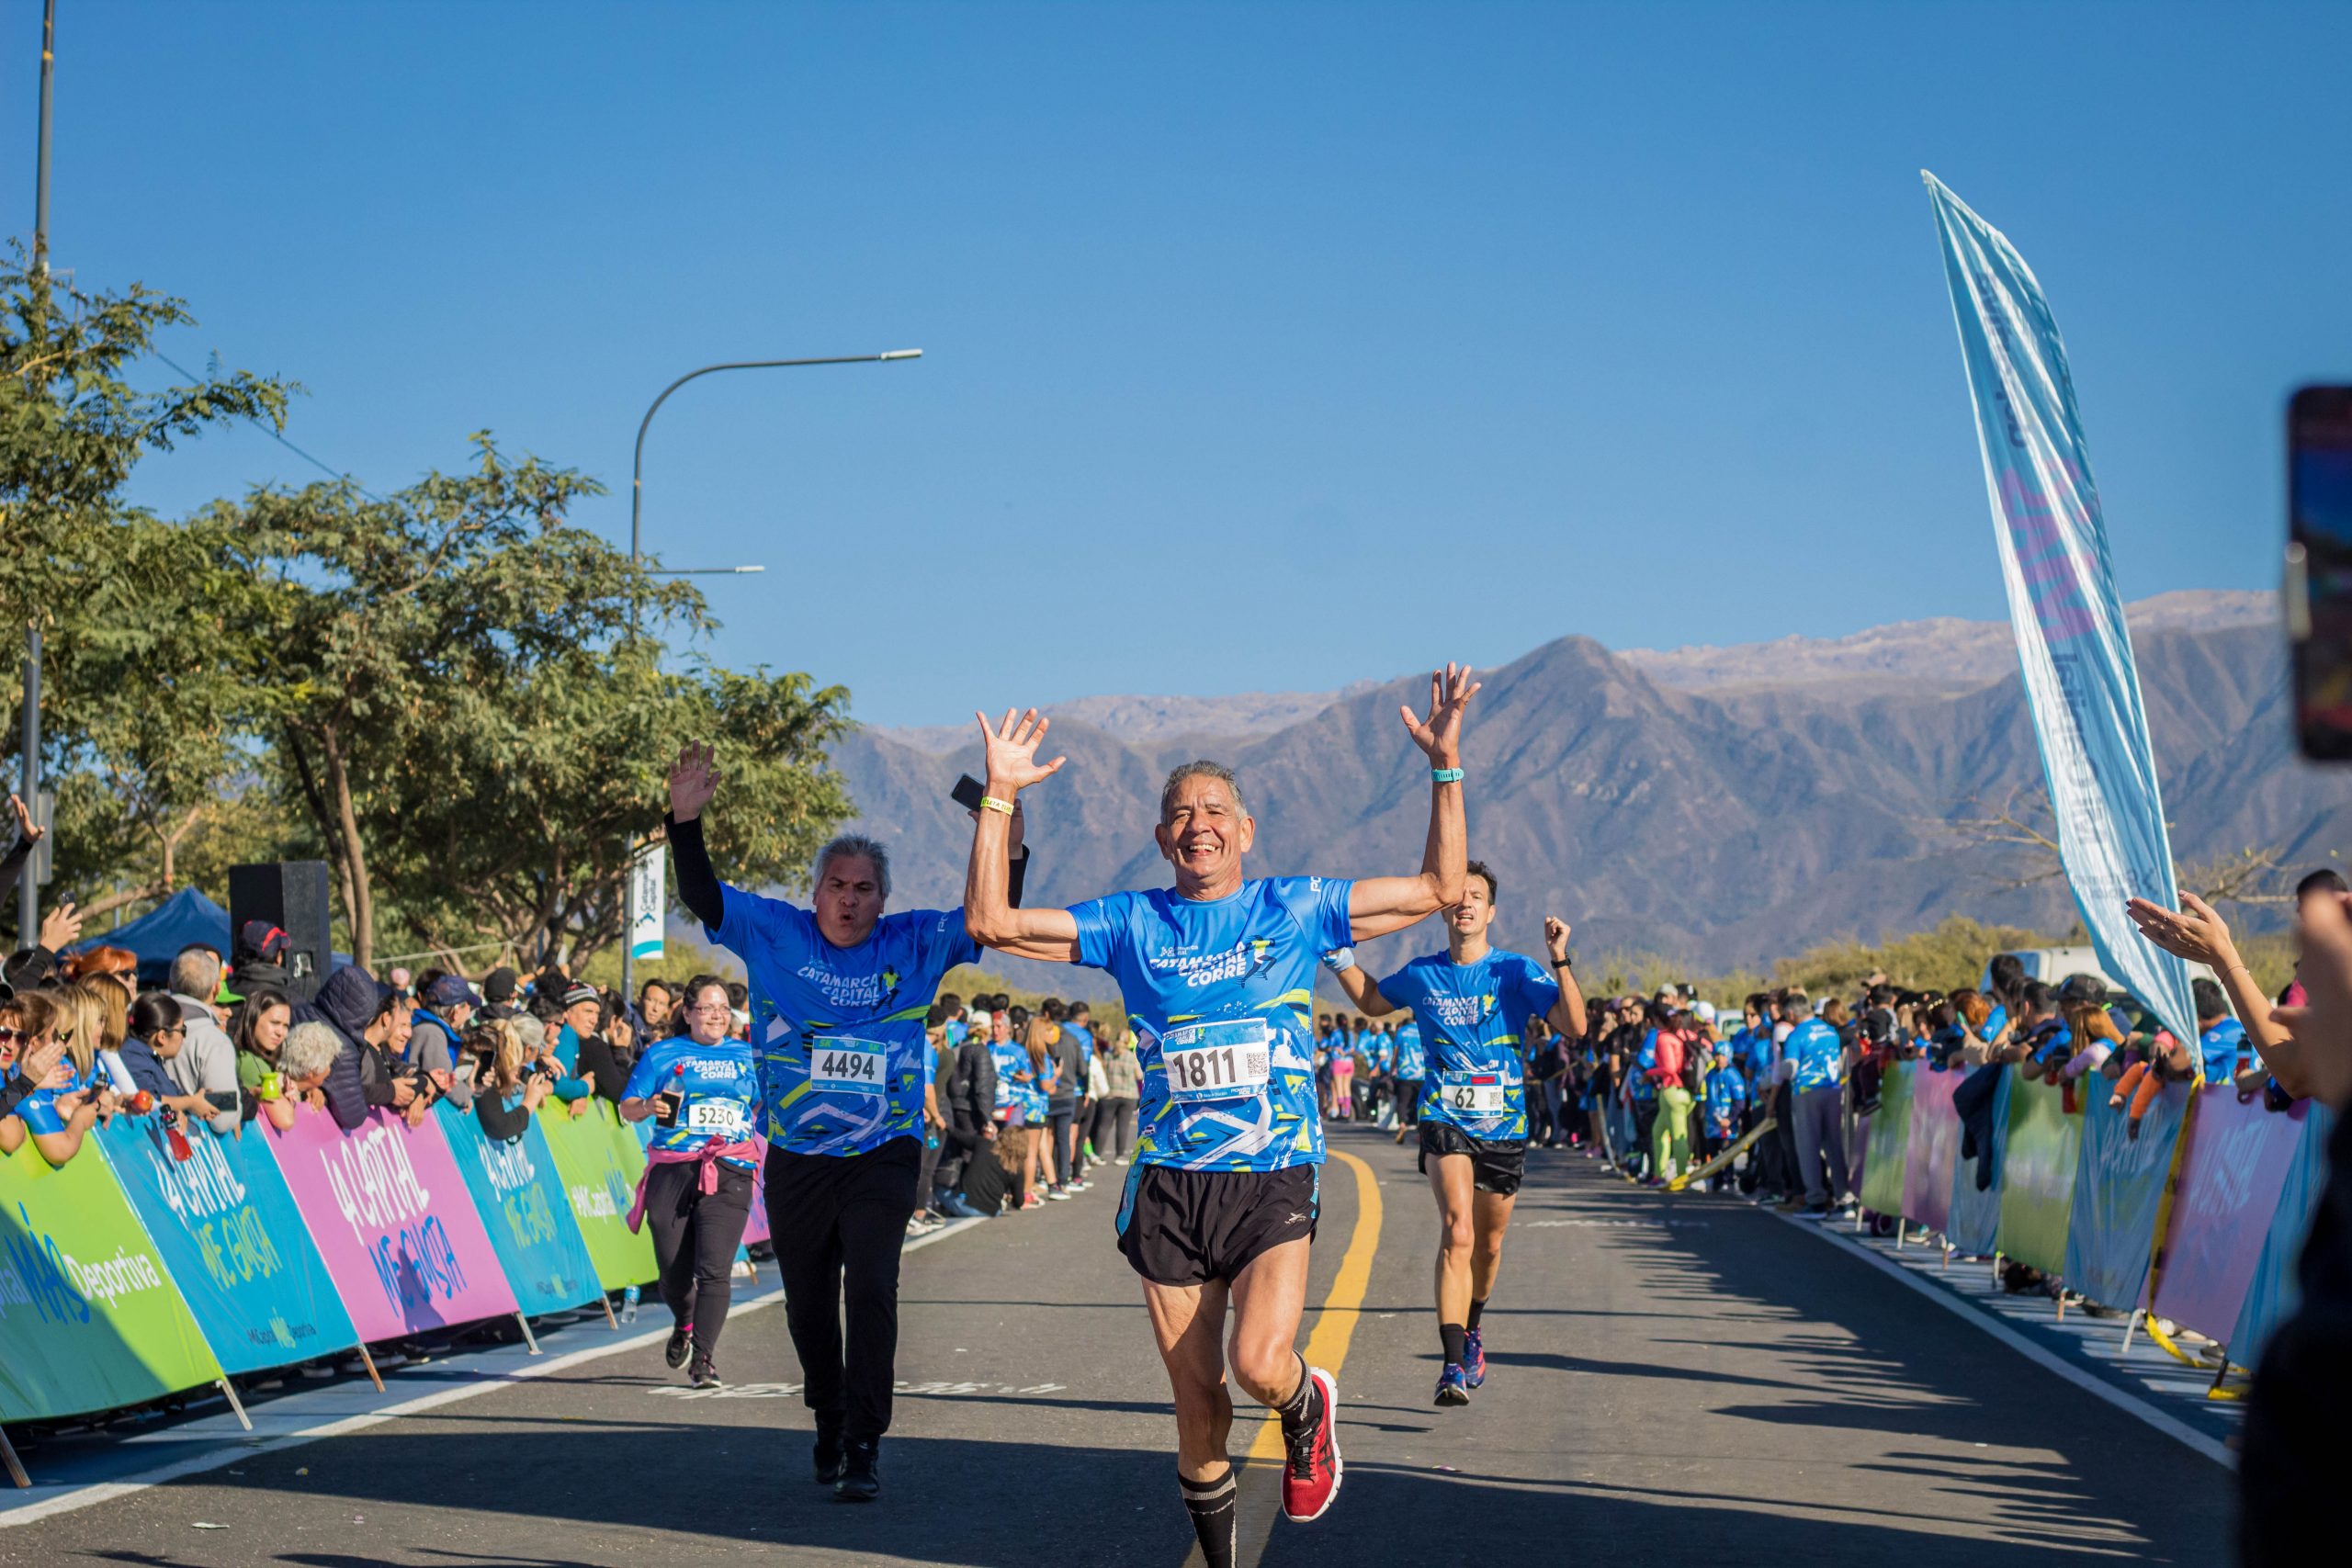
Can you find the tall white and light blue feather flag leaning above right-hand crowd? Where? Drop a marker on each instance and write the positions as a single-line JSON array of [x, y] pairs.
[[2073, 648]]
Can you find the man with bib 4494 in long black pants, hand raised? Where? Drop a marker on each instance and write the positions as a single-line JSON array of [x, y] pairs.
[[838, 1000]]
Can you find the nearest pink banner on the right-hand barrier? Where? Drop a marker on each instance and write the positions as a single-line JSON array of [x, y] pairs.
[[2231, 1184]]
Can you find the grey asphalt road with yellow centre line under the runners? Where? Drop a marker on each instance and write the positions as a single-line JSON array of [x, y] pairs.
[[1673, 1381]]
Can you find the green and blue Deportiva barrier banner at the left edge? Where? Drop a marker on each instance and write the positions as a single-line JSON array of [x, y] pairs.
[[88, 1315]]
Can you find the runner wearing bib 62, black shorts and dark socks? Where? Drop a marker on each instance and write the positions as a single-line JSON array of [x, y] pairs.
[[1474, 1005]]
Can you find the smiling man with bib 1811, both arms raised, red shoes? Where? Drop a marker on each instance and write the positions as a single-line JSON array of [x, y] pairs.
[[1220, 984]]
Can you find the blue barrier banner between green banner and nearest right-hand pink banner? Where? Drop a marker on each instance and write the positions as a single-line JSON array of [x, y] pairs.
[[2120, 1193]]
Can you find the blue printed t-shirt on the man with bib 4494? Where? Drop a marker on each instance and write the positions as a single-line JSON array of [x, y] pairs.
[[841, 1028]]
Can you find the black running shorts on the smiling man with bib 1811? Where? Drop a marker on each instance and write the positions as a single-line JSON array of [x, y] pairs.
[[1187, 1228]]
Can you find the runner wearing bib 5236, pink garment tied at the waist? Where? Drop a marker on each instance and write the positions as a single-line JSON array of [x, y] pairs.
[[702, 1092]]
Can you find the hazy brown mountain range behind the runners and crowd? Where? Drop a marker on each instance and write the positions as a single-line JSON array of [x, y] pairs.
[[1720, 808]]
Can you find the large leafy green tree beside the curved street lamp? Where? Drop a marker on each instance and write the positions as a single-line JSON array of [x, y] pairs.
[[455, 699]]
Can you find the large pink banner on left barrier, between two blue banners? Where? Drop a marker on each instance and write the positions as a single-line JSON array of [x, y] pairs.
[[394, 1221]]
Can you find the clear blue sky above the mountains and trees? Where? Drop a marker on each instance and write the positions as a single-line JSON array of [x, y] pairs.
[[1267, 347]]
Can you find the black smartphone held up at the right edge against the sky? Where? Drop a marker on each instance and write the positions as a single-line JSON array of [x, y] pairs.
[[2318, 587]]
